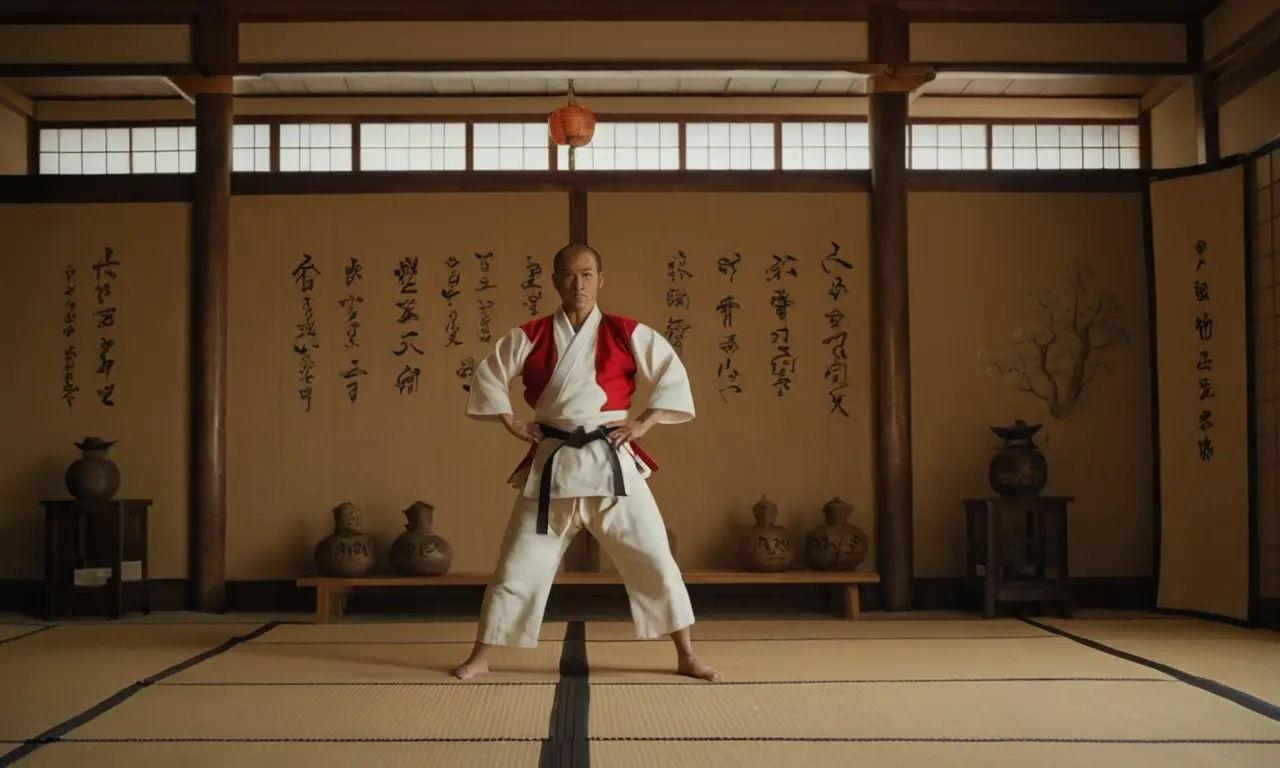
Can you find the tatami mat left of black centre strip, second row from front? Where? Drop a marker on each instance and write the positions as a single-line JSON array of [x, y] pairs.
[[330, 712]]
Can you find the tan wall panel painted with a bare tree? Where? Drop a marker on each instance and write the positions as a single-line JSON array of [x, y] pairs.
[[993, 277]]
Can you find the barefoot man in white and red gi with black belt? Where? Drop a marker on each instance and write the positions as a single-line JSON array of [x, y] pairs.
[[584, 468]]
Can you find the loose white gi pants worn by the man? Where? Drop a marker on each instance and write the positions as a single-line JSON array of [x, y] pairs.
[[629, 529]]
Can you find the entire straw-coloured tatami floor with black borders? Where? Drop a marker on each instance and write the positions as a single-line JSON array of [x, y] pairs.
[[191, 692]]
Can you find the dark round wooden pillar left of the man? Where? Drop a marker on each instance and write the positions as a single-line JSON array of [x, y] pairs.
[[216, 56]]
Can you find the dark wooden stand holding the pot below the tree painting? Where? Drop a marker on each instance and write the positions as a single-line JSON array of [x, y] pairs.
[[1030, 565]]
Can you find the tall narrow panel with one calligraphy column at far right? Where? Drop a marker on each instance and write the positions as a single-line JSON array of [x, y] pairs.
[[1203, 356]]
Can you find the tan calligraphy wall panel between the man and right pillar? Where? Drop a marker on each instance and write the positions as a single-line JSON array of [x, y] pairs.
[[671, 262]]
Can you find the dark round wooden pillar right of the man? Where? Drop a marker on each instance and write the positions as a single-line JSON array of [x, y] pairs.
[[892, 340]]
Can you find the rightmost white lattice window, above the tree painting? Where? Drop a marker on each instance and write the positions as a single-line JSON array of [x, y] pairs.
[[1064, 148]]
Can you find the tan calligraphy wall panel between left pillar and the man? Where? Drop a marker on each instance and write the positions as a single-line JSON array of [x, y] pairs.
[[314, 422]]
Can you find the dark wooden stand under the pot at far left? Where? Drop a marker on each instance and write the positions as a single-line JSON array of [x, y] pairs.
[[97, 557]]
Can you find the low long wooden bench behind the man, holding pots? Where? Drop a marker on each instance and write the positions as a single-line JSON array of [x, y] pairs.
[[332, 591]]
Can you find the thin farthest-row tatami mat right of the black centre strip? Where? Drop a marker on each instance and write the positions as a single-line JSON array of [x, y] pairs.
[[605, 632]]
